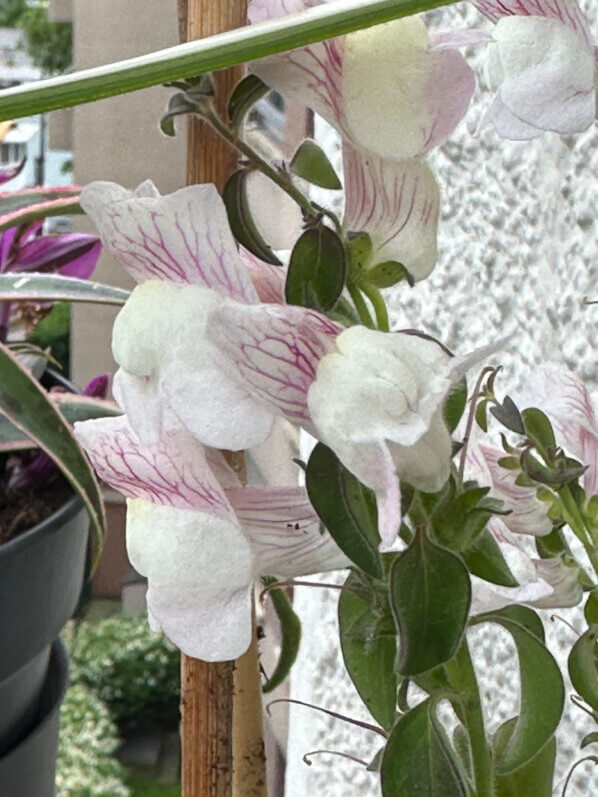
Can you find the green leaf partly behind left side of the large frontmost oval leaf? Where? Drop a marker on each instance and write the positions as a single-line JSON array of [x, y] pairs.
[[369, 645]]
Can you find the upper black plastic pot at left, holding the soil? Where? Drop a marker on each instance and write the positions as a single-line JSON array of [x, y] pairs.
[[41, 578]]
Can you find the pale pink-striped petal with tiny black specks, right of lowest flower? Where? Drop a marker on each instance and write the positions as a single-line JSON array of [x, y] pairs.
[[285, 532]]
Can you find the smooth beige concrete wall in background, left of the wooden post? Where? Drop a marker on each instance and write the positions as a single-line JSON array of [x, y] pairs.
[[118, 139]]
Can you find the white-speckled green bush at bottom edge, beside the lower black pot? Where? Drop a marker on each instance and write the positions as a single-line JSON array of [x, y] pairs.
[[88, 740]]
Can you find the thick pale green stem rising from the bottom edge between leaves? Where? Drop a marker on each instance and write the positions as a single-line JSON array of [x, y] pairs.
[[468, 707]]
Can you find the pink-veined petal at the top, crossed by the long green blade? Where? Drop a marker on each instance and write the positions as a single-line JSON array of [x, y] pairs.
[[311, 75]]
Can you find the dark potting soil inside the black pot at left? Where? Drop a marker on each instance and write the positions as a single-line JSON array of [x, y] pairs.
[[23, 509]]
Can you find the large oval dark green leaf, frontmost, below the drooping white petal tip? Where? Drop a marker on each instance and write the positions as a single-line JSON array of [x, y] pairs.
[[430, 595]]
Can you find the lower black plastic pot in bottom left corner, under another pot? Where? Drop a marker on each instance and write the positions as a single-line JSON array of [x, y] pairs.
[[28, 769]]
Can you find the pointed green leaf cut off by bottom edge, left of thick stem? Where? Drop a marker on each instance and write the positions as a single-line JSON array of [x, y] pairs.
[[418, 759]]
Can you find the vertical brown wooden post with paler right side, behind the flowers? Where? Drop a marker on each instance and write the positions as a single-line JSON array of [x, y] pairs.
[[211, 693]]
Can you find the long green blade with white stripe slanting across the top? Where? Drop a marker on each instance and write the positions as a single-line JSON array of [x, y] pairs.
[[205, 55]]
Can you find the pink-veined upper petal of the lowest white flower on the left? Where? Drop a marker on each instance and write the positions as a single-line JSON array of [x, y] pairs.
[[174, 472]]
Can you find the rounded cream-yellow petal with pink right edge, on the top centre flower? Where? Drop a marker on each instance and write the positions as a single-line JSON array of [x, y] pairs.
[[400, 98]]
